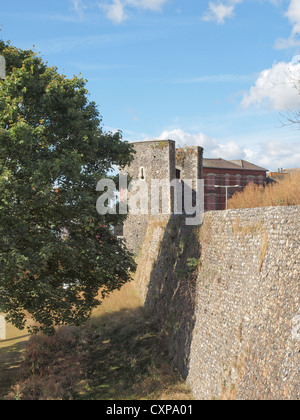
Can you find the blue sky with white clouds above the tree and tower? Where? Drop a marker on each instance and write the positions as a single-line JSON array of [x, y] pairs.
[[220, 74]]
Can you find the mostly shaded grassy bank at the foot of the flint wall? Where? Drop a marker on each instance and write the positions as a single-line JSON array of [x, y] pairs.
[[118, 355]]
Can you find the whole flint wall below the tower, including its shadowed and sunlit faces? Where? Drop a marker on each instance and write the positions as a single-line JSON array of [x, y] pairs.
[[228, 295]]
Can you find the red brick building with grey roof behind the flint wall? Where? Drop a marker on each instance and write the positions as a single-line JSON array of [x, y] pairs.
[[222, 177]]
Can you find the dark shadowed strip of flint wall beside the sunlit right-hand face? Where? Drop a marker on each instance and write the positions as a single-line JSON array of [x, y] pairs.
[[171, 294]]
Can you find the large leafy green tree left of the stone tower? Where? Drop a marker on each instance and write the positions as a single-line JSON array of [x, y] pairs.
[[56, 253]]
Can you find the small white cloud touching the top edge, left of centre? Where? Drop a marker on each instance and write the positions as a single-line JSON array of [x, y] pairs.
[[116, 9]]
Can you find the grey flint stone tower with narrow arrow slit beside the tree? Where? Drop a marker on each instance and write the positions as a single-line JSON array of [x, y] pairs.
[[160, 161]]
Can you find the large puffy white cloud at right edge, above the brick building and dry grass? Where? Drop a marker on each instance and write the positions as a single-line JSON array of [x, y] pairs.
[[276, 87]]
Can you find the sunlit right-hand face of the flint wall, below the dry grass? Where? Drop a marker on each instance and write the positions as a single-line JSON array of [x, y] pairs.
[[248, 296]]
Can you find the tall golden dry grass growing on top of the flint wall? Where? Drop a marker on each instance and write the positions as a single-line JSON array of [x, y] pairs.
[[285, 193]]
